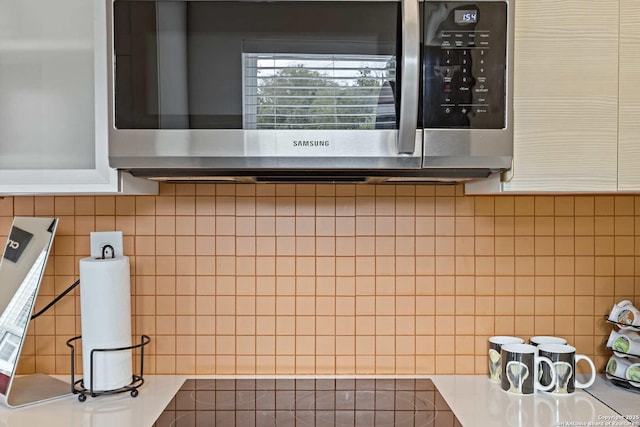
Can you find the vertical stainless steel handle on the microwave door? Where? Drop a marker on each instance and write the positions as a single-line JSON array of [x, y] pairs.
[[410, 77]]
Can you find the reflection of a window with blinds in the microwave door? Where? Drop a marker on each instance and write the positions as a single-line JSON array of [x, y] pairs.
[[318, 91]]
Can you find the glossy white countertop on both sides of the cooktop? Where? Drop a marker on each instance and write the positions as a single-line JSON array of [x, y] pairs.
[[473, 398]]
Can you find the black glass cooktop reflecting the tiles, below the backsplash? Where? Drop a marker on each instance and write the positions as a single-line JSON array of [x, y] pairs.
[[307, 402]]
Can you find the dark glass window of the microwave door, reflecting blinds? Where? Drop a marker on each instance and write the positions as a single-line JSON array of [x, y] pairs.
[[255, 65]]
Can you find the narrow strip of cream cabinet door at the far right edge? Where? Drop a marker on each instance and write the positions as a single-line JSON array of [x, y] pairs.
[[629, 121]]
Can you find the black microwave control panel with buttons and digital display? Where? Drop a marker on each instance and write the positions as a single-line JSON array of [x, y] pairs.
[[465, 65]]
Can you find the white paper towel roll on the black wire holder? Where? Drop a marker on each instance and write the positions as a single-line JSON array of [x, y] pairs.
[[105, 304]]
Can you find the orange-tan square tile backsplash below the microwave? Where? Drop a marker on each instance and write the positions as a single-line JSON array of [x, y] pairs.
[[341, 279]]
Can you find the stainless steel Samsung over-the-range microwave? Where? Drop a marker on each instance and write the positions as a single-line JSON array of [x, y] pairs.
[[304, 90]]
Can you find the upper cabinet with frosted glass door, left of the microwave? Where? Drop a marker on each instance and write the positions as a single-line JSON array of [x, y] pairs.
[[53, 100]]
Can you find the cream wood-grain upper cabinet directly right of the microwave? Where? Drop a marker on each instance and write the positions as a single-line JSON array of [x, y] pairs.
[[565, 98]]
